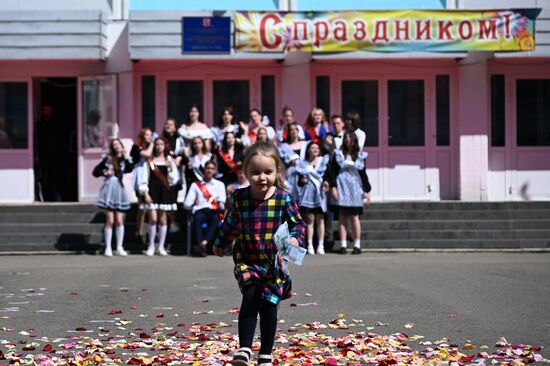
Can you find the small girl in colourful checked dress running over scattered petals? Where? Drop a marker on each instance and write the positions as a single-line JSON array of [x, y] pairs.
[[253, 216]]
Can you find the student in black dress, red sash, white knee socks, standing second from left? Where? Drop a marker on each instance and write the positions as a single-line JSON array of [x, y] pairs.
[[159, 176]]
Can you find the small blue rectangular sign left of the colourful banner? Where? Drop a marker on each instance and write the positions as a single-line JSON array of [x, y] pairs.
[[206, 34]]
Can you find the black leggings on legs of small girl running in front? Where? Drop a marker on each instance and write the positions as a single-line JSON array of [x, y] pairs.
[[252, 304]]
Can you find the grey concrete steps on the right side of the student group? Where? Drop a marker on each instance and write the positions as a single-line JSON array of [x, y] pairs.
[[458, 225]]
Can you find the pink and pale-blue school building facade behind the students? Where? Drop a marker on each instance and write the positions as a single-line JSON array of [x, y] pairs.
[[471, 126]]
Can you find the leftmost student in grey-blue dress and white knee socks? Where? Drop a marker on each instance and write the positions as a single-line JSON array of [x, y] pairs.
[[112, 195]]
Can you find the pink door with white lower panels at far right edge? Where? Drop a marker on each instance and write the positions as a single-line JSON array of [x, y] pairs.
[[520, 137]]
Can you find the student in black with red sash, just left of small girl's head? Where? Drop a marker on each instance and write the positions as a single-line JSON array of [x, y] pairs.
[[230, 157]]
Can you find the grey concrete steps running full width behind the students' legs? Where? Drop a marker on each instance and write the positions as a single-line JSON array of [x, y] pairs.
[[393, 225]]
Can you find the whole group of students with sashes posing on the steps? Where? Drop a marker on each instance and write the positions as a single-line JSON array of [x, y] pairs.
[[201, 167]]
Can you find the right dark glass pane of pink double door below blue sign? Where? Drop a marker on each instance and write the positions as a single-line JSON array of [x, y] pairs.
[[234, 93]]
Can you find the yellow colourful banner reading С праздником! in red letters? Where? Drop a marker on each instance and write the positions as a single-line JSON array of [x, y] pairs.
[[386, 31]]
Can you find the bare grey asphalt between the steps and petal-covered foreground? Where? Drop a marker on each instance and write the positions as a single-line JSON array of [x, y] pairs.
[[475, 297]]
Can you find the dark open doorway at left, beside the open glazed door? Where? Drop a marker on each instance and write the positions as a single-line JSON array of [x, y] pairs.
[[55, 139]]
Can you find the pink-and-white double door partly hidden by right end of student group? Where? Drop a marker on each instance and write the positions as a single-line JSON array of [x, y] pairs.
[[394, 115]]
